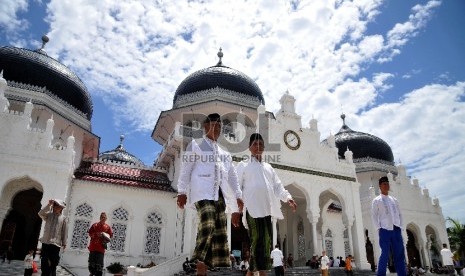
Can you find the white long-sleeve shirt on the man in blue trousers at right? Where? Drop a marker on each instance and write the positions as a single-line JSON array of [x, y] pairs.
[[385, 212]]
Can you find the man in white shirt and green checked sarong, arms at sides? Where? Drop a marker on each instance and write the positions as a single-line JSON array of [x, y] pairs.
[[208, 180]]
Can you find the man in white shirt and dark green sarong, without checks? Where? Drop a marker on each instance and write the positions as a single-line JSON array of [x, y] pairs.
[[262, 191]]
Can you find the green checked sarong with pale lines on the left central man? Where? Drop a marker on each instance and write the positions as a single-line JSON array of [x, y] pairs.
[[212, 238]]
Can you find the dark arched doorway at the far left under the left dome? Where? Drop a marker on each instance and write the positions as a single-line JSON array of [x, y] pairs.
[[21, 226]]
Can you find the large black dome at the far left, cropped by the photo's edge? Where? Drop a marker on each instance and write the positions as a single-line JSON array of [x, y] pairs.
[[36, 68]]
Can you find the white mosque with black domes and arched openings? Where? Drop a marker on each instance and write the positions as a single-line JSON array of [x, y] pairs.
[[48, 150]]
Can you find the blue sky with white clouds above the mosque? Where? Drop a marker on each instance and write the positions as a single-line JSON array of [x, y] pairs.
[[395, 68]]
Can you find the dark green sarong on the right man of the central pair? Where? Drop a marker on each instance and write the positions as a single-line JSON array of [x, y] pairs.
[[260, 234]]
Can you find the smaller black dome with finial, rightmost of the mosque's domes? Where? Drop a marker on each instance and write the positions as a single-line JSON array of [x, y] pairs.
[[362, 145]]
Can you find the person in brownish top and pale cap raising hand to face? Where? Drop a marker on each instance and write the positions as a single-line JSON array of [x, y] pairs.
[[54, 237]]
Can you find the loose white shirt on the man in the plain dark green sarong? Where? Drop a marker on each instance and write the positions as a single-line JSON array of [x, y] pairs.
[[262, 189]]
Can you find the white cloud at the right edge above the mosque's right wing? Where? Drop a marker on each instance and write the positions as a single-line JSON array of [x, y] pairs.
[[425, 131]]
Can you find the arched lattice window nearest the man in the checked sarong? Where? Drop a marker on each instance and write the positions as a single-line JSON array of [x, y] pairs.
[[153, 233]]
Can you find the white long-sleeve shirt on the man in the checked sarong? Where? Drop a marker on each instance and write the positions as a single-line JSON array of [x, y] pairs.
[[205, 167]]
